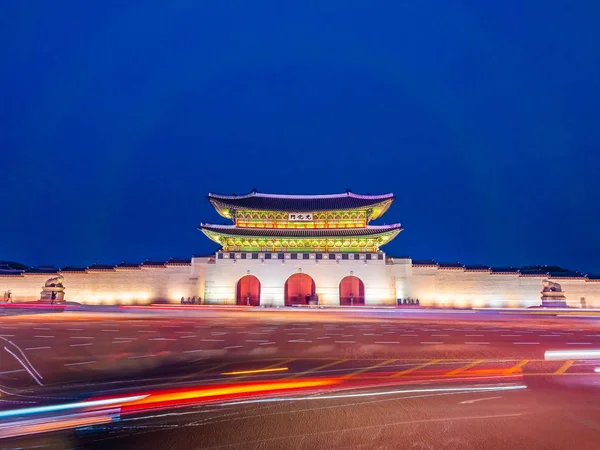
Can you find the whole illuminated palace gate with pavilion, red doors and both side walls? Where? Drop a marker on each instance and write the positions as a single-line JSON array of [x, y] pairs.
[[284, 250]]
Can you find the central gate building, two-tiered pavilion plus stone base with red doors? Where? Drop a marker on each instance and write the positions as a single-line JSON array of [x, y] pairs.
[[300, 249]]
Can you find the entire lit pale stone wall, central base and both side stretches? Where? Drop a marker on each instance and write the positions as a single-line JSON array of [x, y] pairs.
[[215, 281]]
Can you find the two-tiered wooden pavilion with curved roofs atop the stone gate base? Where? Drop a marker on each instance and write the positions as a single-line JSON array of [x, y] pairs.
[[295, 223]]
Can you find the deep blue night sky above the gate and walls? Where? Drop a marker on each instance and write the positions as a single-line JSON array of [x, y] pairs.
[[118, 117]]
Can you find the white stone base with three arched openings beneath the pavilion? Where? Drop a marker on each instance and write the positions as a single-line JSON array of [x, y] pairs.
[[222, 278]]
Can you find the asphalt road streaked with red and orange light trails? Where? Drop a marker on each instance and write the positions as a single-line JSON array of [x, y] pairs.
[[75, 354]]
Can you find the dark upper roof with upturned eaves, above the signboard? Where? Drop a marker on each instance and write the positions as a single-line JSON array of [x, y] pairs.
[[256, 201]]
